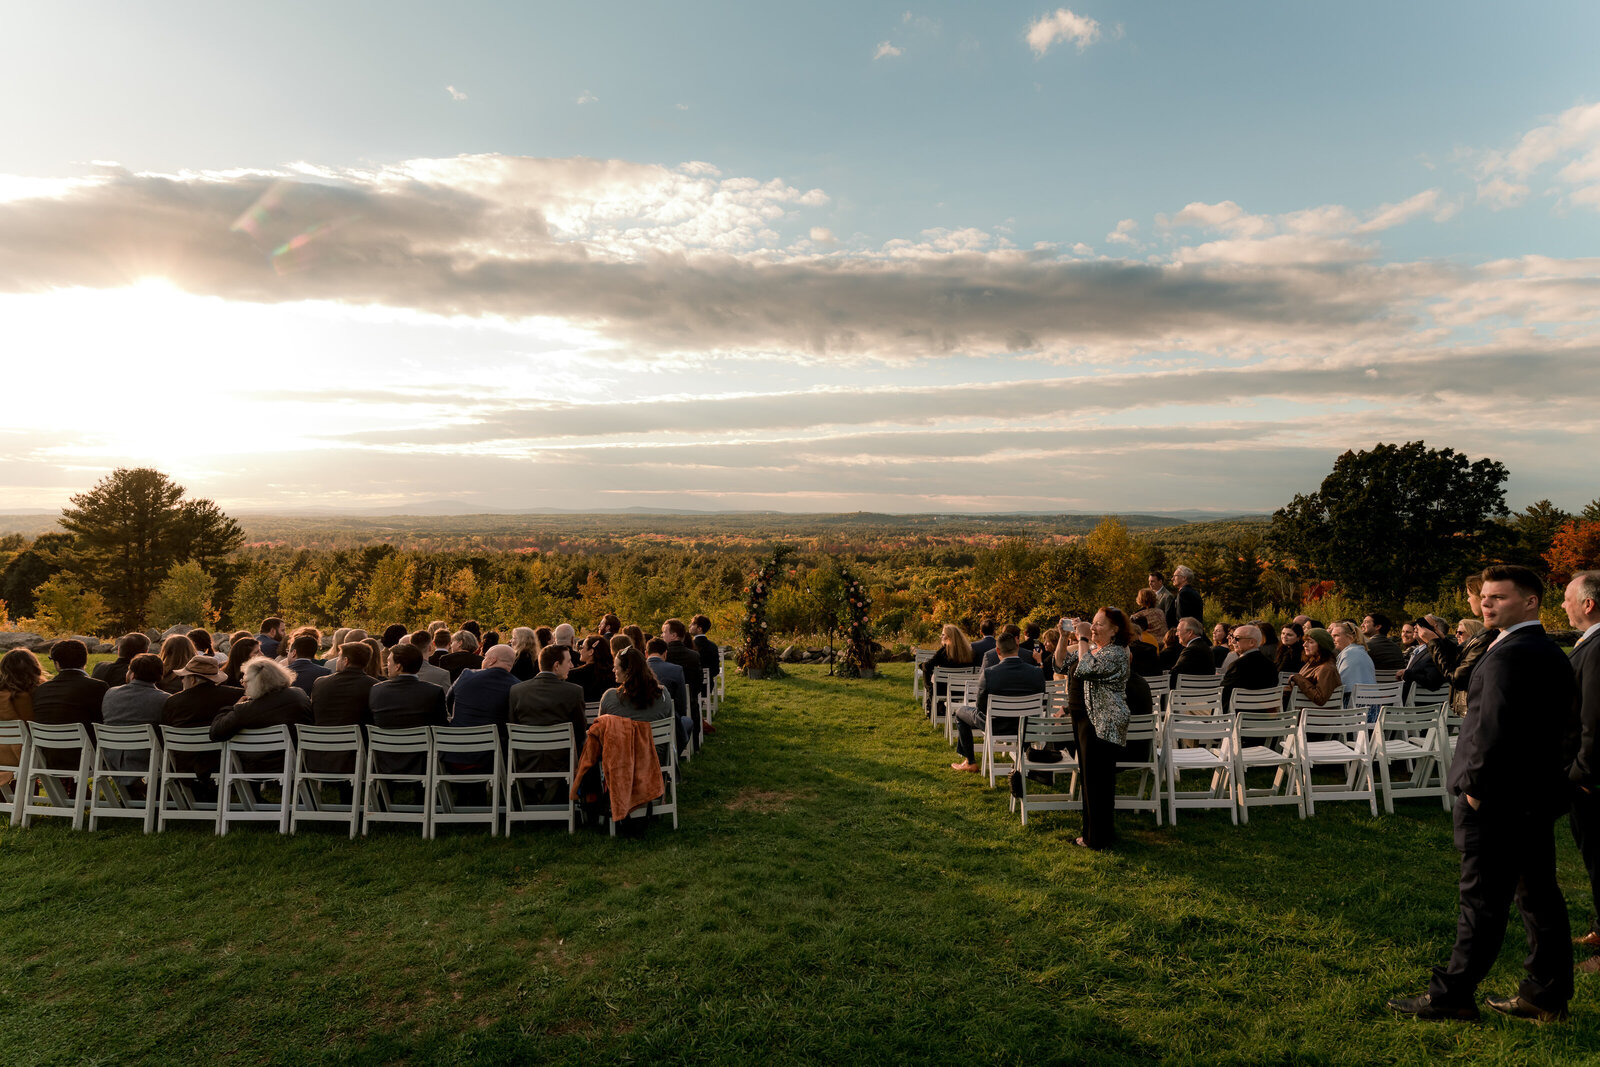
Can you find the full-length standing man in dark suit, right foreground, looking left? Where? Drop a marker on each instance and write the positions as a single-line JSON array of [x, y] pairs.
[[1510, 785]]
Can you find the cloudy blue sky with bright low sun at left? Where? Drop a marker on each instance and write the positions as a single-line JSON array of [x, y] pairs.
[[830, 257]]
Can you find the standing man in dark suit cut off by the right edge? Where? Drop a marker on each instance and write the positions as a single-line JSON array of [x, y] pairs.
[[1583, 769]]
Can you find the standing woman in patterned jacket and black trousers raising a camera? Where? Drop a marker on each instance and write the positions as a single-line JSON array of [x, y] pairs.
[[1097, 655]]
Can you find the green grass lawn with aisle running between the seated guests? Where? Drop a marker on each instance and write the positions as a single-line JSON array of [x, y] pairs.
[[836, 895]]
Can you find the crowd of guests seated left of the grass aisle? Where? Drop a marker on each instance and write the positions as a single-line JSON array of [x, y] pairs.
[[434, 677]]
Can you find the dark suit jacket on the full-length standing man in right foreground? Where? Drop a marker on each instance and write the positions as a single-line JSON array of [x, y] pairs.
[[1521, 705]]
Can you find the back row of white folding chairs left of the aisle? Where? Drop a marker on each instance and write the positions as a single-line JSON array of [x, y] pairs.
[[92, 788]]
